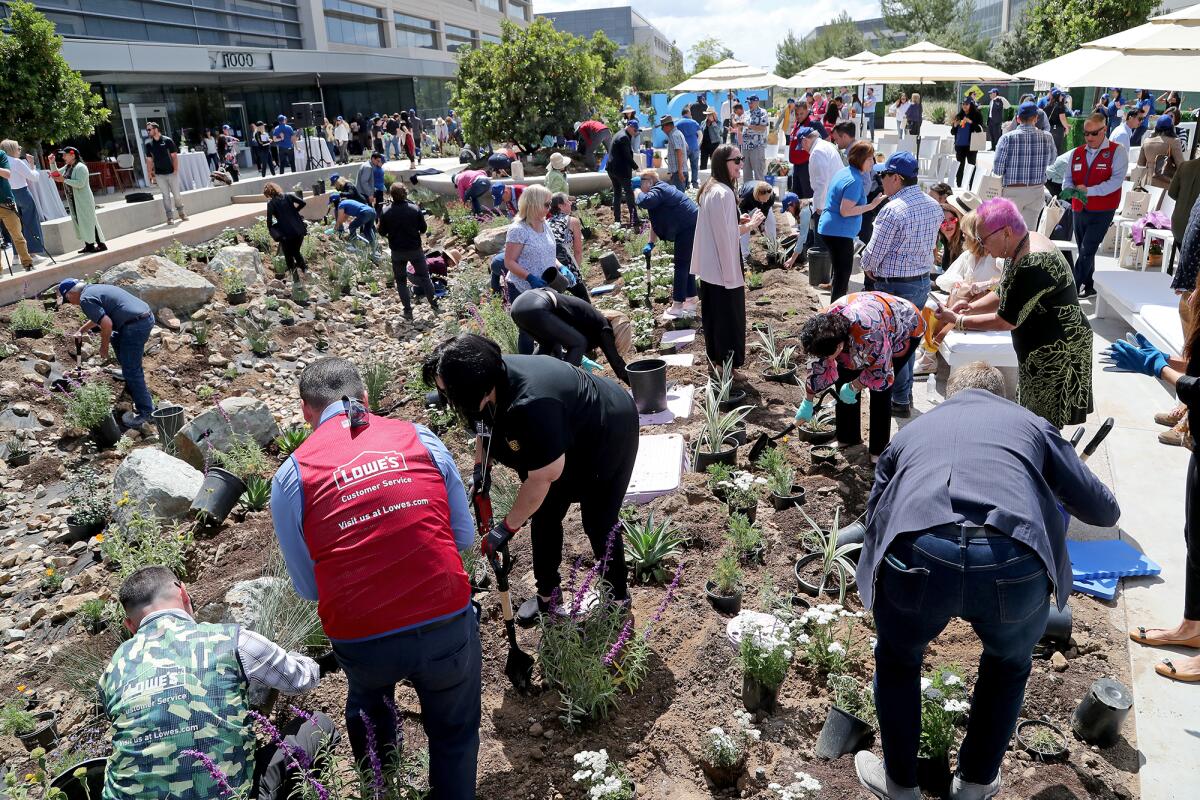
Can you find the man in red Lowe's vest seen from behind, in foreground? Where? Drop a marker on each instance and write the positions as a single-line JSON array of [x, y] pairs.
[[371, 515]]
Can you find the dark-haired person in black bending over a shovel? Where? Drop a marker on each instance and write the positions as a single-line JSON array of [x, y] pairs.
[[572, 437]]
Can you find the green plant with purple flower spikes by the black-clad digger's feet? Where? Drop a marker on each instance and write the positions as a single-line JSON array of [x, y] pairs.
[[592, 657]]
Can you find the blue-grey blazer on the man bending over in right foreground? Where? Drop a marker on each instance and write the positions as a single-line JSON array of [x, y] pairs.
[[985, 461]]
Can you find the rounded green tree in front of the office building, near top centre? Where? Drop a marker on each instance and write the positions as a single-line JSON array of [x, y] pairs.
[[536, 82]]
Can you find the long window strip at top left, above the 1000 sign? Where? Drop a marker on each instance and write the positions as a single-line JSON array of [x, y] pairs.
[[247, 23]]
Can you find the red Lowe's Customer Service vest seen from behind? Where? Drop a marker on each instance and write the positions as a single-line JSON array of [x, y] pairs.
[[377, 525]]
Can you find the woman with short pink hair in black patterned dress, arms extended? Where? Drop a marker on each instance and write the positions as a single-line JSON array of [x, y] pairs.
[[1037, 302]]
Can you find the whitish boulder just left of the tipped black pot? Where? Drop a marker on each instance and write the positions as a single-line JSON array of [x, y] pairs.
[[158, 485]]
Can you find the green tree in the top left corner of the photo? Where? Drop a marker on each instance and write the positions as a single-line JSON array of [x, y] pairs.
[[45, 99]]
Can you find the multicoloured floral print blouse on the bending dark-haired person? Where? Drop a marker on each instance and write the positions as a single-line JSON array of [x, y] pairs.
[[881, 329]]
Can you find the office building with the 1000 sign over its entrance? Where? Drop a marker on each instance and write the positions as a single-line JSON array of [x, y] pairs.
[[199, 64]]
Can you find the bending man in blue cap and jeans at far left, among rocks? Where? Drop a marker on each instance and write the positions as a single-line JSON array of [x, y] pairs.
[[125, 322]]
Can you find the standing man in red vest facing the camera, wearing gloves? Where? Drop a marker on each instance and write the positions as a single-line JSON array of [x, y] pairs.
[[1097, 169]]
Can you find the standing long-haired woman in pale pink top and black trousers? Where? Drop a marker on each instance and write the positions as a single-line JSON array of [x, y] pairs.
[[717, 262]]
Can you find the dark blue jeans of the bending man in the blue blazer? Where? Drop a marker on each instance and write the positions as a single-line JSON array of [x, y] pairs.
[[999, 586]]
